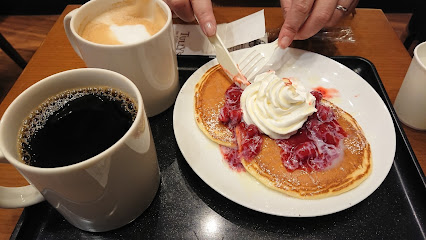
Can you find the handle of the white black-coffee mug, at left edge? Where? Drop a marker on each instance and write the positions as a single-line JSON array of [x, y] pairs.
[[17, 197]]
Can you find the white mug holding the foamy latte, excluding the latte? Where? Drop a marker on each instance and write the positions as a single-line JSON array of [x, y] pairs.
[[150, 63]]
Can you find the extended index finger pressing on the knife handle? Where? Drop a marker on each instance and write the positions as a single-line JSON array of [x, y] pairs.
[[204, 13]]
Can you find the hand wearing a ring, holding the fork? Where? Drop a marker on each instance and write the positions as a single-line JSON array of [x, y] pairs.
[[304, 18]]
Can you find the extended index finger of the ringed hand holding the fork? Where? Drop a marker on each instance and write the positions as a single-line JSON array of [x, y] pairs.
[[295, 15]]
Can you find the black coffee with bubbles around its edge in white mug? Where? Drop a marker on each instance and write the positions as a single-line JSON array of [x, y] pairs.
[[75, 125]]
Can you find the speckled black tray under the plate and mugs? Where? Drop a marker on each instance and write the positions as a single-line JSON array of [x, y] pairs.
[[187, 208]]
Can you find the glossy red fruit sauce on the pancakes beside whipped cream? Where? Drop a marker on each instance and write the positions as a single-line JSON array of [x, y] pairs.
[[314, 147]]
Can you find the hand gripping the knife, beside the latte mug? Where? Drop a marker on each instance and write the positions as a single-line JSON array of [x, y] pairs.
[[201, 9]]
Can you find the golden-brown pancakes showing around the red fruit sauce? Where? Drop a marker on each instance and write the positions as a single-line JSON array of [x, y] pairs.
[[344, 174]]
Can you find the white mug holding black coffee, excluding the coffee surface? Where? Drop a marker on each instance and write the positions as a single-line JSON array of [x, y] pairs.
[[100, 193]]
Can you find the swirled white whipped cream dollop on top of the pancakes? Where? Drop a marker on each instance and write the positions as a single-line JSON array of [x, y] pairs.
[[277, 106]]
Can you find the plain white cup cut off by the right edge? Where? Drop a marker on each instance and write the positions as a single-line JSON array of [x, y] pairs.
[[410, 103]]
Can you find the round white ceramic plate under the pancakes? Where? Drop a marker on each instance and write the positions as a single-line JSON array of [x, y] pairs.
[[355, 96]]
